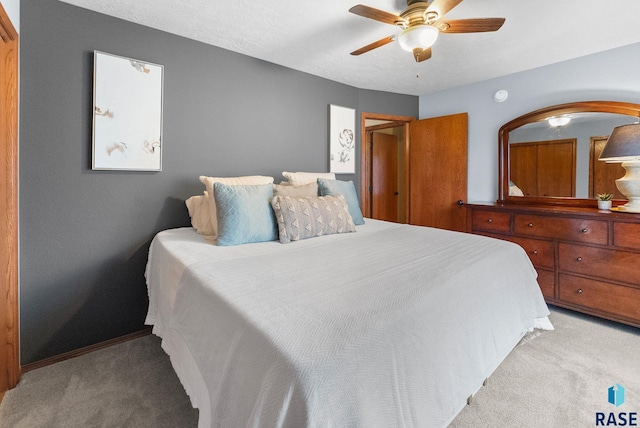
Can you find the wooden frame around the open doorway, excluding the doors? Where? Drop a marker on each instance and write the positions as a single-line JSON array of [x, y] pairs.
[[365, 156]]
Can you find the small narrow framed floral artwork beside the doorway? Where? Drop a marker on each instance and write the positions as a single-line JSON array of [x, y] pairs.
[[342, 140]]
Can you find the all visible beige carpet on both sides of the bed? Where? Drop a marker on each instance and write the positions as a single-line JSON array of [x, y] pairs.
[[555, 379]]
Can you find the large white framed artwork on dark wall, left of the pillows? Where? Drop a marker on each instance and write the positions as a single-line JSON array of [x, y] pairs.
[[127, 114]]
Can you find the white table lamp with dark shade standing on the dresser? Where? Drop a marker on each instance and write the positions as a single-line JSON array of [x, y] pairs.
[[623, 146]]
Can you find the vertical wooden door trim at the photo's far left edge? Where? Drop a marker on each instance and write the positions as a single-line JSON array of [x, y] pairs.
[[9, 321]]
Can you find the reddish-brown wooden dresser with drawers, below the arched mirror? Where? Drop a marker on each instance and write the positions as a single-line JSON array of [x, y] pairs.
[[587, 260]]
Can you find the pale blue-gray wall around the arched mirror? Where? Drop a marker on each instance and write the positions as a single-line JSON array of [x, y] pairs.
[[610, 75]]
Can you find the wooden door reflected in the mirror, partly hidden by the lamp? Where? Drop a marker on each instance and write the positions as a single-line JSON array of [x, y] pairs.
[[603, 175]]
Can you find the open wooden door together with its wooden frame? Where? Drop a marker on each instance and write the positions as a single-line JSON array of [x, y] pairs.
[[431, 166]]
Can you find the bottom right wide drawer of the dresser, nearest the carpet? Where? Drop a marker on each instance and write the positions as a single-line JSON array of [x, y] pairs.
[[600, 295]]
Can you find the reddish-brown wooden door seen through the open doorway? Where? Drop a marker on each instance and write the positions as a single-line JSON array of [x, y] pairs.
[[384, 176]]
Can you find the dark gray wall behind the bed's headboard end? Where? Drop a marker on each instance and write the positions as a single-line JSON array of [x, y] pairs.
[[84, 234]]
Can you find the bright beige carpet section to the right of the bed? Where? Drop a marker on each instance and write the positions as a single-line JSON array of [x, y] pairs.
[[560, 378]]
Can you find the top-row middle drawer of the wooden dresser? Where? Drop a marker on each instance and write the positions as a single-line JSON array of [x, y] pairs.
[[567, 229]]
